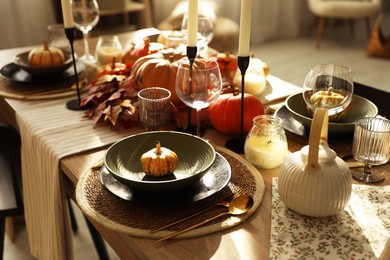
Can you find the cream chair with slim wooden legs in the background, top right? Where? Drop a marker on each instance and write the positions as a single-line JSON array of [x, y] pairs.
[[343, 9]]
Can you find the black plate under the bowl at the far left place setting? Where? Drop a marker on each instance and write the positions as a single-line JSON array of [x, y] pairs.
[[14, 73]]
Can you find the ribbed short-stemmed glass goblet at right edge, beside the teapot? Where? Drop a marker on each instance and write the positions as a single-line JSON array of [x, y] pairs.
[[371, 145]]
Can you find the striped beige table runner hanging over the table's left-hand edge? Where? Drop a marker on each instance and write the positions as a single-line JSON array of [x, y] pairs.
[[50, 132]]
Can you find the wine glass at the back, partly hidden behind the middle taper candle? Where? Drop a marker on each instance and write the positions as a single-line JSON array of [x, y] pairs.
[[205, 30]]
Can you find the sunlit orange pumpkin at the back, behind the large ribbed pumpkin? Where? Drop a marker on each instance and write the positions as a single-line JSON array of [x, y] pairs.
[[140, 50]]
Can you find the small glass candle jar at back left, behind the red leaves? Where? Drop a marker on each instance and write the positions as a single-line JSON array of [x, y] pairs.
[[107, 49]]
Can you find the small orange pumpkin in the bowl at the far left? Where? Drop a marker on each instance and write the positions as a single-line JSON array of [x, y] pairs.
[[46, 56]]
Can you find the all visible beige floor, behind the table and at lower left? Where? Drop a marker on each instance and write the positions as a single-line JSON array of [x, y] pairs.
[[288, 59]]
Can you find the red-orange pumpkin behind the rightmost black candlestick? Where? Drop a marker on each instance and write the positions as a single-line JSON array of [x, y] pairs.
[[225, 112]]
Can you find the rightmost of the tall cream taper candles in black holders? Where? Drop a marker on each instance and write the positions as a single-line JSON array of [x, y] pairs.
[[245, 28]]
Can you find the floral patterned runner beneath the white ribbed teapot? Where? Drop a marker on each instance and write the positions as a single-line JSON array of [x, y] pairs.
[[360, 231]]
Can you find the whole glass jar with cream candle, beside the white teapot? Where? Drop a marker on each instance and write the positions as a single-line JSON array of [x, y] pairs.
[[266, 143]]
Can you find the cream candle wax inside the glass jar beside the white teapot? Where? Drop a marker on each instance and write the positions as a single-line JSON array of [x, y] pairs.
[[265, 152]]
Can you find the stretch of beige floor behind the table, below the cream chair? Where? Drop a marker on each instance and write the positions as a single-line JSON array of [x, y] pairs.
[[290, 59]]
